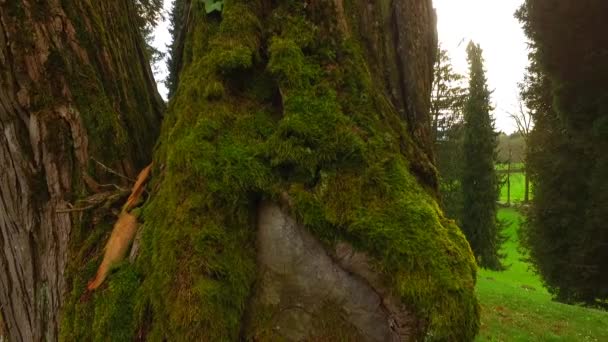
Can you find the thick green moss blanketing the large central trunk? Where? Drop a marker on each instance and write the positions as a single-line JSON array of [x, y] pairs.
[[327, 137]]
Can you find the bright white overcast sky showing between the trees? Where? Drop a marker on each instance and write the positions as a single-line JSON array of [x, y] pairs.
[[490, 23]]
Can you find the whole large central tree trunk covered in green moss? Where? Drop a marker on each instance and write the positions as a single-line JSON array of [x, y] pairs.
[[293, 194]]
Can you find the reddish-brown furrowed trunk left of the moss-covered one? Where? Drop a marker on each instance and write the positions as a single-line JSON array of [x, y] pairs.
[[72, 83]]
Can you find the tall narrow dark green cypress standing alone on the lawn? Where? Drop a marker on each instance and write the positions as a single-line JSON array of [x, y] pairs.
[[479, 179]]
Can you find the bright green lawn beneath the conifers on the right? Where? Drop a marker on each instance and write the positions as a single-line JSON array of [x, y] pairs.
[[516, 307]]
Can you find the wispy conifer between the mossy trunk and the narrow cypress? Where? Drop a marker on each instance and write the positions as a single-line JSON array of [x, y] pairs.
[[447, 100]]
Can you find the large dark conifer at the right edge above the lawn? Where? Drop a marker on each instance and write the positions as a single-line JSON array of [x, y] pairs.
[[566, 90]]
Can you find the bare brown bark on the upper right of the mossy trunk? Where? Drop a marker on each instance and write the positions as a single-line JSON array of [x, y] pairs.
[[402, 48]]
